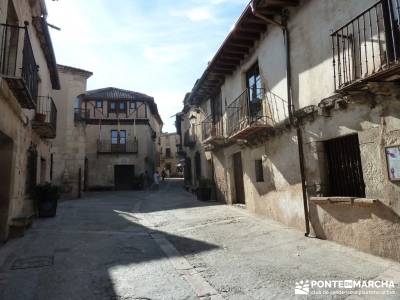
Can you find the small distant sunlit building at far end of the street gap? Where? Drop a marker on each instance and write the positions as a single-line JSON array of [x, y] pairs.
[[169, 157]]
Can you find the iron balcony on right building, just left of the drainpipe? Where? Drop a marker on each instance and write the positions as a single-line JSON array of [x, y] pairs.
[[253, 111]]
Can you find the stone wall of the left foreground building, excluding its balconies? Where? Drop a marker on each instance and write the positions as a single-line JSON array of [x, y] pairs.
[[18, 135]]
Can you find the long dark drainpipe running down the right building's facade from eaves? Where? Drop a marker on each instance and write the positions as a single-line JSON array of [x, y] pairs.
[[286, 37]]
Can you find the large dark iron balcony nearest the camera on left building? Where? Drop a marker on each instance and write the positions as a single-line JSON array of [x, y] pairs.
[[17, 64]]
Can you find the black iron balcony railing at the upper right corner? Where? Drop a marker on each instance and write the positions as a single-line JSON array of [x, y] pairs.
[[368, 45]]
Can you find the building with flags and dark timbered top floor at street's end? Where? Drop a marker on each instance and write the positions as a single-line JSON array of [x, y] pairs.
[[121, 133]]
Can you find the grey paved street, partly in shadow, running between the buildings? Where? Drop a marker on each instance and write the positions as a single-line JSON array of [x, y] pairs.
[[167, 245]]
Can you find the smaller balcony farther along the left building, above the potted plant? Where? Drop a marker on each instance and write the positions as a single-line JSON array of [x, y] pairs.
[[45, 121]]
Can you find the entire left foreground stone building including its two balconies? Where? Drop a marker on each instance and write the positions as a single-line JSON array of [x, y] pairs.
[[28, 76]]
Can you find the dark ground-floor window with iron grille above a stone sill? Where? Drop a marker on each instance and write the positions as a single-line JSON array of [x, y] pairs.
[[345, 176]]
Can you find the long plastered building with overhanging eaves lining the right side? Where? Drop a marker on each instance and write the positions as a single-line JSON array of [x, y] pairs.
[[299, 118]]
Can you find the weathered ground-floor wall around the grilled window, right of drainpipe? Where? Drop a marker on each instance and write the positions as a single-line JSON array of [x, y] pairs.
[[370, 227]]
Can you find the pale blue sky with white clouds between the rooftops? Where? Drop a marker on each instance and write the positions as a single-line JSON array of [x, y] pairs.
[[157, 47]]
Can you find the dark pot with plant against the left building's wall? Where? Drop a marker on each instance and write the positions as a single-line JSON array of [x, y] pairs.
[[46, 196]]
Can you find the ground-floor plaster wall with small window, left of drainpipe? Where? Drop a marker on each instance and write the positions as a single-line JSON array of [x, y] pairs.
[[279, 195]]
